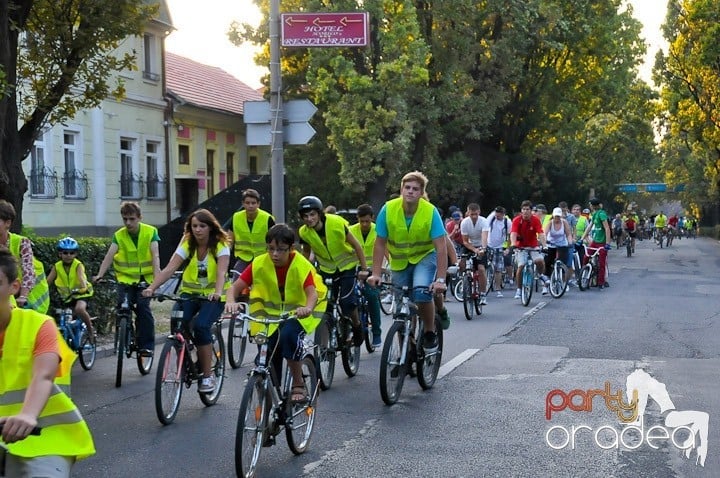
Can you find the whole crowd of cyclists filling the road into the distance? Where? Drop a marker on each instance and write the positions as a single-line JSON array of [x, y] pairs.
[[408, 237]]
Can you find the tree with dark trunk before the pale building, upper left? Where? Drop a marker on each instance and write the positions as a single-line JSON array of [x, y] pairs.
[[57, 58]]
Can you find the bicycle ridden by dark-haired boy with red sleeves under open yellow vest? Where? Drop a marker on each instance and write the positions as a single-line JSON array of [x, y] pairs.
[[266, 407]]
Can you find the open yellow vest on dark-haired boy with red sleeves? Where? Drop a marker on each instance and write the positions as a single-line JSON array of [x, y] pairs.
[[265, 298]]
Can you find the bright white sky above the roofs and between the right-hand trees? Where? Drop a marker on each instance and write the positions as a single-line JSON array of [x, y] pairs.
[[201, 34]]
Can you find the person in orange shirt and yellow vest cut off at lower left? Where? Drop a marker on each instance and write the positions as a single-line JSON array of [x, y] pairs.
[[34, 368]]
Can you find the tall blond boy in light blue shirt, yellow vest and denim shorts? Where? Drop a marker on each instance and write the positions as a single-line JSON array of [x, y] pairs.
[[411, 229]]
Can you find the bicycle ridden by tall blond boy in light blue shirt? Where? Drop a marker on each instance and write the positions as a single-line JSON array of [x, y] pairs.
[[403, 349]]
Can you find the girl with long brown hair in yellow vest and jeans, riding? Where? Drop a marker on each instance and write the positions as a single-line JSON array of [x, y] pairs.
[[205, 255]]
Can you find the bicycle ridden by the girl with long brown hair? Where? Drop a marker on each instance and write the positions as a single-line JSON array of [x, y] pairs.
[[178, 365]]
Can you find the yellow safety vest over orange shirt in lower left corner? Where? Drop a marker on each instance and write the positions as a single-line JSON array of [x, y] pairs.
[[64, 432]]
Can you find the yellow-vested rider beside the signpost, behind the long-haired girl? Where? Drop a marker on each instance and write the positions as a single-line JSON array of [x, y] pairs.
[[249, 228]]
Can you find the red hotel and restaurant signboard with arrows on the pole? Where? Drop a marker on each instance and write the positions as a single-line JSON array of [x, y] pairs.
[[325, 29]]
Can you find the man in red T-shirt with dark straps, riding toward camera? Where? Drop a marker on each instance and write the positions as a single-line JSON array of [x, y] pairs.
[[527, 231]]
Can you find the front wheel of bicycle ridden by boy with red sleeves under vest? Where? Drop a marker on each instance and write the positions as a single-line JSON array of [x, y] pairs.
[[251, 426]]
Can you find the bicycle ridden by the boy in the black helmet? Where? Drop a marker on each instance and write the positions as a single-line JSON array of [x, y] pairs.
[[334, 334]]
